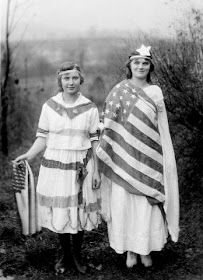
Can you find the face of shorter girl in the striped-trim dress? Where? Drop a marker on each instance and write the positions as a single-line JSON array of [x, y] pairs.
[[71, 82]]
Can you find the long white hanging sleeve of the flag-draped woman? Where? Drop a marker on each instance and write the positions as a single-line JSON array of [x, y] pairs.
[[171, 205]]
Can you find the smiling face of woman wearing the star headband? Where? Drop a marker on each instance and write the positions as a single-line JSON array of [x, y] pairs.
[[140, 68]]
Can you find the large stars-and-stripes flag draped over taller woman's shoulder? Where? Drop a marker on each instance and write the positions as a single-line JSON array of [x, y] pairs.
[[130, 151]]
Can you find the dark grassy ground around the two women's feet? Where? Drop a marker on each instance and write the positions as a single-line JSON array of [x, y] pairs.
[[34, 257]]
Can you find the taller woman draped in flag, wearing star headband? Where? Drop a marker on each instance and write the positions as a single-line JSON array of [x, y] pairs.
[[139, 189]]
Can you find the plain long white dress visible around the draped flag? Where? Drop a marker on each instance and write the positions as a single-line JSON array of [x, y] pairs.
[[133, 224]]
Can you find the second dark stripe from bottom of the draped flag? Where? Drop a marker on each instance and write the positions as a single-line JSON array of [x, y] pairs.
[[132, 172]]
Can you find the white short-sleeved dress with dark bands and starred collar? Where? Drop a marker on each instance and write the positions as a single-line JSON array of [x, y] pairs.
[[69, 130]]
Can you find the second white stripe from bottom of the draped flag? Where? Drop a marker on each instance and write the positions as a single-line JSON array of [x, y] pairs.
[[130, 159]]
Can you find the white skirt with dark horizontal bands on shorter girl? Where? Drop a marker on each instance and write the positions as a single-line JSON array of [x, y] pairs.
[[57, 191]]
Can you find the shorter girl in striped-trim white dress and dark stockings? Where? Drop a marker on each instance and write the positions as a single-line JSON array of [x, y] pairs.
[[68, 183]]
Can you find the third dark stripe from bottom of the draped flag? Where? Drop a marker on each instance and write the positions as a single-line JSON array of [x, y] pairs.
[[138, 155]]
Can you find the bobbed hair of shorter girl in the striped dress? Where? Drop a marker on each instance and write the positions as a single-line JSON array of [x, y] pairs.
[[69, 65]]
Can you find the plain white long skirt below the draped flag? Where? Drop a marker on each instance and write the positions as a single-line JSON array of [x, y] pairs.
[[133, 224]]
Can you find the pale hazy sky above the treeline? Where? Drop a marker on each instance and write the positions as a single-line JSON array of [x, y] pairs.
[[44, 19]]
